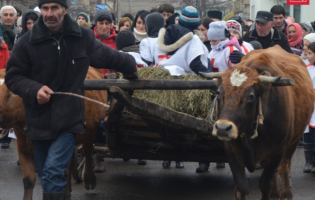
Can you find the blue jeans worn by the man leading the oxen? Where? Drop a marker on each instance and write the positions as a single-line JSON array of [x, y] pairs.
[[52, 158]]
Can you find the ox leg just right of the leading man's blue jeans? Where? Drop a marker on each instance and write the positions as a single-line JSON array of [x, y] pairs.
[[89, 176]]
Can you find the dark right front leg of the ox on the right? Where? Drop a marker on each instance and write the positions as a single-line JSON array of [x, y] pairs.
[[268, 176]]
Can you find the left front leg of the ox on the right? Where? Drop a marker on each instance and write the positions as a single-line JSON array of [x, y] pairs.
[[239, 175]]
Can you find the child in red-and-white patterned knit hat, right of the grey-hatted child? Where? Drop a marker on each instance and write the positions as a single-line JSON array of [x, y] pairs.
[[235, 29]]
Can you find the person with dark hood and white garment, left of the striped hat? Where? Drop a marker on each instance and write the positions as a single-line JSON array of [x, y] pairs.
[[153, 23]]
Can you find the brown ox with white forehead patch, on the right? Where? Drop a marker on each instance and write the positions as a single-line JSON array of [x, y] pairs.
[[286, 112]]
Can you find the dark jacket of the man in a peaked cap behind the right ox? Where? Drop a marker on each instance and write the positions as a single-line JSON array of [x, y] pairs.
[[278, 38]]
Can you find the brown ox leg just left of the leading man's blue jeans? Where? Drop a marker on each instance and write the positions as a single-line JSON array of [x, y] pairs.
[[26, 157]]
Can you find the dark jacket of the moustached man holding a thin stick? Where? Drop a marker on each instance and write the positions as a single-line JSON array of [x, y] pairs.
[[36, 61]]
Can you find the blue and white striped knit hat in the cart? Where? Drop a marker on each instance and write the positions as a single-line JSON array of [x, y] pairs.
[[189, 17]]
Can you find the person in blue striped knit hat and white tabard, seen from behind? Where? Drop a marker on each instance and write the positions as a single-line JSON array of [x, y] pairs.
[[179, 50]]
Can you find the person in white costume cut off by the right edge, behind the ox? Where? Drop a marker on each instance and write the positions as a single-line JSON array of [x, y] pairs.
[[309, 138]]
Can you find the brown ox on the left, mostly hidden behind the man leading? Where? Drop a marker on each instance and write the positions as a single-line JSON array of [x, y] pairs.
[[12, 116]]
